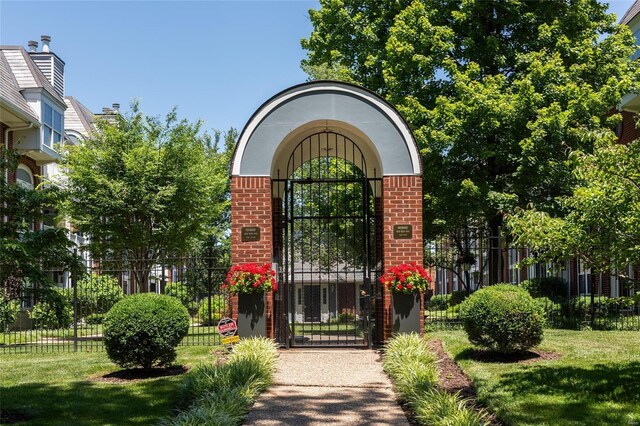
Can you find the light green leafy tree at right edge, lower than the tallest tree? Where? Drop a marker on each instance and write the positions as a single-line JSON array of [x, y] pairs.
[[601, 220]]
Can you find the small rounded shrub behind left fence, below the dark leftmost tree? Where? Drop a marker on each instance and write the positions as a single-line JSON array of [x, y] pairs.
[[54, 310]]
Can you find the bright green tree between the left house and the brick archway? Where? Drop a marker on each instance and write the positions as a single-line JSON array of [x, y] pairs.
[[140, 185]]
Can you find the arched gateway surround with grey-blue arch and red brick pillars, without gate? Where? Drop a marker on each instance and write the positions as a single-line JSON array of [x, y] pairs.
[[393, 161]]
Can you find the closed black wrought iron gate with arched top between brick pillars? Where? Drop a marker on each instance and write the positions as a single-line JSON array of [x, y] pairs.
[[325, 254]]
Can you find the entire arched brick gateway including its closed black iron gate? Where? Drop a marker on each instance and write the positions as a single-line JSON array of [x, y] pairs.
[[326, 186]]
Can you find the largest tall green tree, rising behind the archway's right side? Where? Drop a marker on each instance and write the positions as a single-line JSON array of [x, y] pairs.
[[497, 93]]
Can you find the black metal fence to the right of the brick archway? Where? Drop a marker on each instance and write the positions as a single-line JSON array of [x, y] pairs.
[[572, 296]]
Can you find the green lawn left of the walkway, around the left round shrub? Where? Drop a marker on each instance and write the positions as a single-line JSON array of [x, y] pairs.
[[55, 389]]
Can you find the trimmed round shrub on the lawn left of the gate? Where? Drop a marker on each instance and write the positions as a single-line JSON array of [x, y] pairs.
[[143, 330]]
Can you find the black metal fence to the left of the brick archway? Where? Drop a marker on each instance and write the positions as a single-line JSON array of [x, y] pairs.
[[69, 317]]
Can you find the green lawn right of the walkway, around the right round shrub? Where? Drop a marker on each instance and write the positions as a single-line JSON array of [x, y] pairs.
[[595, 382]]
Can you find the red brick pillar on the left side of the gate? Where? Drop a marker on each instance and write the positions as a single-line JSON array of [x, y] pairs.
[[251, 206]]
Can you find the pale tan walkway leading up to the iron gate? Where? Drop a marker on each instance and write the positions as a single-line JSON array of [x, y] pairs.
[[328, 386]]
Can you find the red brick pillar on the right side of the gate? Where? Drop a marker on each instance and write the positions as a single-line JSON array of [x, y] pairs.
[[402, 205]]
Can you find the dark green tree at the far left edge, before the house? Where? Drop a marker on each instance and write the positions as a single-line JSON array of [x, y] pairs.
[[28, 252]]
